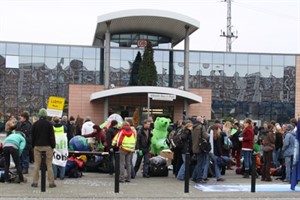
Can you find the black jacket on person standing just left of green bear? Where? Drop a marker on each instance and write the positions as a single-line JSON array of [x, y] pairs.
[[142, 141]]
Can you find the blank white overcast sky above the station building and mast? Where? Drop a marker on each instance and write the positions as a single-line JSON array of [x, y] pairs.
[[271, 26]]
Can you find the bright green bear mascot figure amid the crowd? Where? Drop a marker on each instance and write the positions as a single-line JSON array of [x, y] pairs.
[[160, 132]]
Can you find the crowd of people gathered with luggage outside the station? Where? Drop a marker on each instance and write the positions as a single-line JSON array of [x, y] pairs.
[[214, 147]]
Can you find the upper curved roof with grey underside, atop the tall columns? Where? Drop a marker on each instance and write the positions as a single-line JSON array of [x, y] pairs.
[[158, 22]]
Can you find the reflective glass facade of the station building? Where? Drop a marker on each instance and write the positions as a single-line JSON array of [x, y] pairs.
[[260, 86]]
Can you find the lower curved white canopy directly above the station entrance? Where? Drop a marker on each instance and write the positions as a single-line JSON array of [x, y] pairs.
[[192, 98]]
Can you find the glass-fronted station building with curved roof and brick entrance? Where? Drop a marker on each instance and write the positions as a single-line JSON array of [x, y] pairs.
[[95, 79]]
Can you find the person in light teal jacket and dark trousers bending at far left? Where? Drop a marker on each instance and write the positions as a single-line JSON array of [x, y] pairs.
[[14, 145]]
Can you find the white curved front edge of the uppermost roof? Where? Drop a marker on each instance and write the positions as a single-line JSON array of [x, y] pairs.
[[148, 12]]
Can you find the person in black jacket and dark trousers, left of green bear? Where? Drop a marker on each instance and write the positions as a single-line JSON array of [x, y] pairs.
[[142, 146]]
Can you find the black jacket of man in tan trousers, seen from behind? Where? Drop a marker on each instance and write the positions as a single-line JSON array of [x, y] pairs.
[[43, 133]]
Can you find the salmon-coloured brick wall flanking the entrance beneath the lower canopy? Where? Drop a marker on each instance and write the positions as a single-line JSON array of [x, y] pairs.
[[79, 102]]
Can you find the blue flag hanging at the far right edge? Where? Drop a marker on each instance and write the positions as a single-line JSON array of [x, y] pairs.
[[295, 177]]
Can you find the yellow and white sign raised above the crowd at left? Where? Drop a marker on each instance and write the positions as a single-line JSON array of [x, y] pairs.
[[55, 106]]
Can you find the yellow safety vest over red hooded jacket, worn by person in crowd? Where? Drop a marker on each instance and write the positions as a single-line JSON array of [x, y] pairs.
[[125, 139]]
